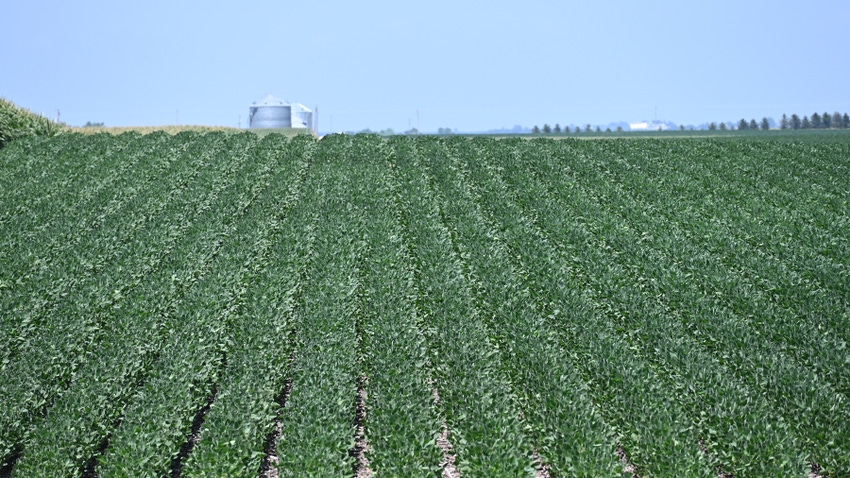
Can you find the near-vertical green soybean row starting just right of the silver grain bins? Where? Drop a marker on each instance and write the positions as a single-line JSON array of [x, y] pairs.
[[318, 421]]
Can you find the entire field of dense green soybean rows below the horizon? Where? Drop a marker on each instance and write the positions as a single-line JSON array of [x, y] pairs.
[[224, 304]]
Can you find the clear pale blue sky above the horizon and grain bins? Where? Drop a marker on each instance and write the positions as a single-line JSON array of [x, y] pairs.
[[373, 64]]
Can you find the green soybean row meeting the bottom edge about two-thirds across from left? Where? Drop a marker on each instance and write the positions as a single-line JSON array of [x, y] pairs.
[[567, 432]]
